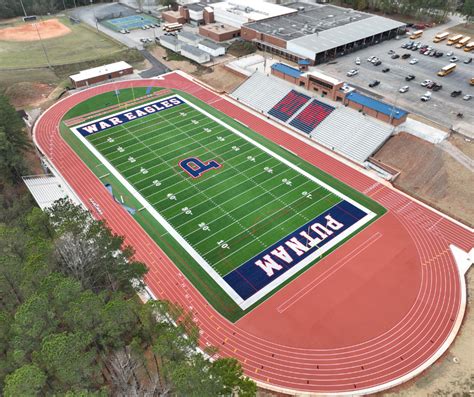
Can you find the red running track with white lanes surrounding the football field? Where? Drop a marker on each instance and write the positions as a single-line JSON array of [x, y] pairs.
[[370, 315]]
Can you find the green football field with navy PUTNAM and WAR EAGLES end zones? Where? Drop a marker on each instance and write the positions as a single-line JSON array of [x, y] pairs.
[[248, 216]]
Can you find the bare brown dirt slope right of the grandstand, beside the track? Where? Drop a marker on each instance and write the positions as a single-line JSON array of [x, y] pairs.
[[430, 174]]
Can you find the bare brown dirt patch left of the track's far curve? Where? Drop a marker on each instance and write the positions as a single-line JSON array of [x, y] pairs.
[[29, 94]]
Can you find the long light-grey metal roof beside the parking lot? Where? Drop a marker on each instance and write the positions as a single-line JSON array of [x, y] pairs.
[[341, 35]]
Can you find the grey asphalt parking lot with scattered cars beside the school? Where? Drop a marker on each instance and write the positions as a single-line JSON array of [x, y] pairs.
[[442, 107]]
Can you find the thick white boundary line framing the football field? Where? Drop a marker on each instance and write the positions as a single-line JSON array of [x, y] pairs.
[[244, 304]]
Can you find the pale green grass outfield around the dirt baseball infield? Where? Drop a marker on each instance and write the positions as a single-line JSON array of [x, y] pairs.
[[82, 44]]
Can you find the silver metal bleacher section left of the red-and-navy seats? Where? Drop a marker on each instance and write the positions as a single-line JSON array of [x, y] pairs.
[[261, 92]]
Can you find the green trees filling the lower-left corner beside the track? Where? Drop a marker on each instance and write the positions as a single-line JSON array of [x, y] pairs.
[[71, 322]]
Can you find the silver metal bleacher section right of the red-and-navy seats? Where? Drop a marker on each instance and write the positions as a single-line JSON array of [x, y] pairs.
[[352, 134]]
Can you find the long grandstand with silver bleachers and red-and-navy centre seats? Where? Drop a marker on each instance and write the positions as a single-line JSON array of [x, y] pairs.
[[341, 129]]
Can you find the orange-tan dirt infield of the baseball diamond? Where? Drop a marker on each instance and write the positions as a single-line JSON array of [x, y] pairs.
[[27, 32]]
